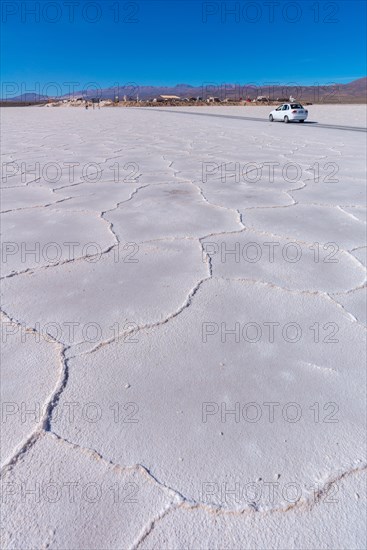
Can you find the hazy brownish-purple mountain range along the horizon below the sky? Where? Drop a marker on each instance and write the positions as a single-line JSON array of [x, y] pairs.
[[353, 91]]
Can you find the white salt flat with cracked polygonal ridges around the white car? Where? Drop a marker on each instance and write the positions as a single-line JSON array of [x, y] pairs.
[[183, 329]]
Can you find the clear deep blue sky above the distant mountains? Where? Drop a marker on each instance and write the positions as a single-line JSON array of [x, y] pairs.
[[182, 41]]
